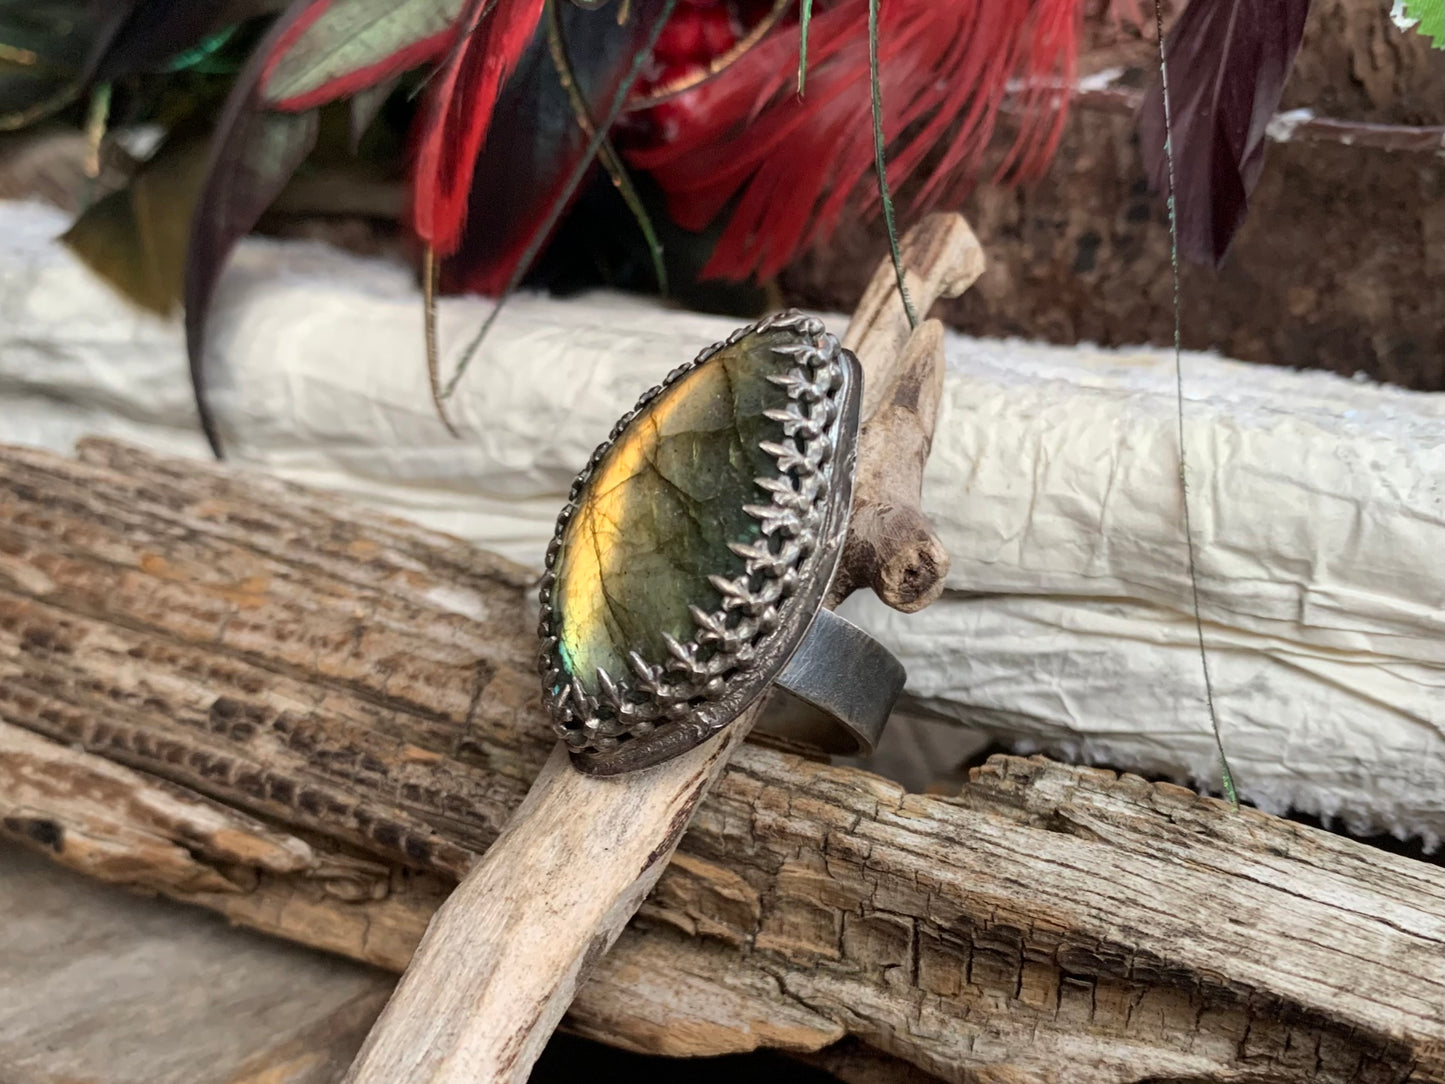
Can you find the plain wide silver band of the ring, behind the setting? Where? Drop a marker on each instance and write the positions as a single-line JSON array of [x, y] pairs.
[[840, 689]]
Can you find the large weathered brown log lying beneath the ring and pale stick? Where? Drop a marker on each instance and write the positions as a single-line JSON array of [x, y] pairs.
[[313, 720]]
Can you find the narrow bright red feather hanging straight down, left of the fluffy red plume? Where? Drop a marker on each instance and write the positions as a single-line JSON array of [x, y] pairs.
[[460, 113]]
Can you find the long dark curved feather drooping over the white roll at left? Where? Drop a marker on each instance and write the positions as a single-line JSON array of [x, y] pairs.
[[254, 154]]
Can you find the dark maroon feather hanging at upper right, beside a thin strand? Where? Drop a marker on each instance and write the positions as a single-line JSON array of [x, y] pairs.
[[1228, 63]]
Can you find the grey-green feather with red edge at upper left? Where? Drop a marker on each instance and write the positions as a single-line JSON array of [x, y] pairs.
[[352, 38]]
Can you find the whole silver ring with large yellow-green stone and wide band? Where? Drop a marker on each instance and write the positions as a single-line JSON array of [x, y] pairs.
[[691, 563]]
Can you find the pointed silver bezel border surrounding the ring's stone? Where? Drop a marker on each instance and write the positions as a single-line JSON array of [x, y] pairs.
[[668, 706]]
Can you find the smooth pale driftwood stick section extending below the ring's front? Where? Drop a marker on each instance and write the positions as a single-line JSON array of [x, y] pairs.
[[508, 950]]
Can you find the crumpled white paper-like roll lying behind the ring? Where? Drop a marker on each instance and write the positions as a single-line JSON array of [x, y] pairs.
[[1319, 504]]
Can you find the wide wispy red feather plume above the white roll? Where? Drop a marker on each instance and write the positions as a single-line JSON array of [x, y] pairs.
[[794, 165]]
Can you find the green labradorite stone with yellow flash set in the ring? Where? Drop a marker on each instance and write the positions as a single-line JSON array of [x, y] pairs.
[[661, 509]]
